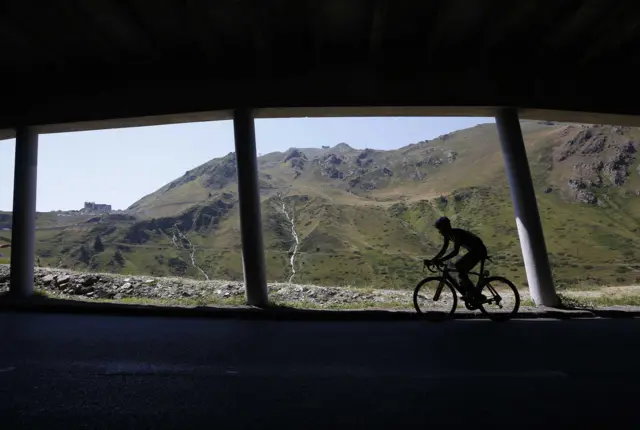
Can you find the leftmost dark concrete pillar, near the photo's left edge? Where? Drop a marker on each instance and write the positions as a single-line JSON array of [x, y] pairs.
[[23, 230]]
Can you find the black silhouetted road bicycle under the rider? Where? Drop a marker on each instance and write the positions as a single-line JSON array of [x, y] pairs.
[[446, 300]]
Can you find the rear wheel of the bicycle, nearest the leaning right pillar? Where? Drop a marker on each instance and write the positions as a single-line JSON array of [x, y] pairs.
[[503, 299]]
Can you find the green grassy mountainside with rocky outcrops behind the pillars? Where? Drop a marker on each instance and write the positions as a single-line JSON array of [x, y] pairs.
[[364, 217]]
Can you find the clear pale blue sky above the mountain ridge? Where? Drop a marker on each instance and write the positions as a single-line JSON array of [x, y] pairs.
[[120, 166]]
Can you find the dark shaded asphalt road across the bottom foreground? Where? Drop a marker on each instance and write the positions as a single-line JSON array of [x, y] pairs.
[[79, 371]]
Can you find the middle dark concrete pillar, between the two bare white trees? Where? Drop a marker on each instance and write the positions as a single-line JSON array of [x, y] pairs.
[[253, 262]]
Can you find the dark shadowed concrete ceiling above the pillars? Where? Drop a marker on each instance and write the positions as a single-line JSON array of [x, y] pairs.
[[107, 63]]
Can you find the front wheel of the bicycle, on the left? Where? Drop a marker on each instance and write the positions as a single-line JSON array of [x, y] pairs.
[[435, 298]]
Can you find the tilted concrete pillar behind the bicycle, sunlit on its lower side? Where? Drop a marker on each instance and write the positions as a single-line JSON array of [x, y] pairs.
[[534, 250]]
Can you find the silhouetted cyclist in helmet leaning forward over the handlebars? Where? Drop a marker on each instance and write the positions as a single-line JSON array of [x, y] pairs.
[[476, 252]]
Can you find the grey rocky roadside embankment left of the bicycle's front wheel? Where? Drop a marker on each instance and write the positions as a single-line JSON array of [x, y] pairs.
[[85, 285]]
